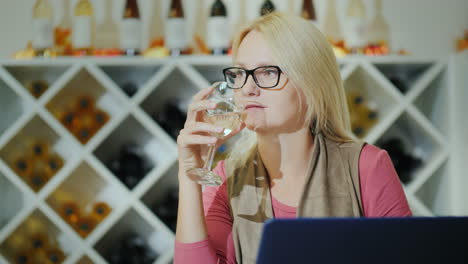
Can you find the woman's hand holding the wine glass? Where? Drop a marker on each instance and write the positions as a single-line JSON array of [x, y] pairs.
[[194, 139]]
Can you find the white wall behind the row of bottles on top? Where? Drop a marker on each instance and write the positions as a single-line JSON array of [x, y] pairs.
[[423, 27]]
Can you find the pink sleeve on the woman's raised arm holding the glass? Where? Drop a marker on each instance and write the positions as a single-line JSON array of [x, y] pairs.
[[219, 247]]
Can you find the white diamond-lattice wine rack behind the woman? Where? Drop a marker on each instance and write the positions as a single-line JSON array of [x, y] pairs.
[[411, 99]]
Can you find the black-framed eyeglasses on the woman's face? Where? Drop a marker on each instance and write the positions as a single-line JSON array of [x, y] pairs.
[[264, 76]]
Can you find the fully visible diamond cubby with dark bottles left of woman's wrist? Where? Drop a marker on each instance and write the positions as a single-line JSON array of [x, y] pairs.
[[131, 152]]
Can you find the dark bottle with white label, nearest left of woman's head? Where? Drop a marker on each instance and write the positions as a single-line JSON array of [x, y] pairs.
[[218, 29]]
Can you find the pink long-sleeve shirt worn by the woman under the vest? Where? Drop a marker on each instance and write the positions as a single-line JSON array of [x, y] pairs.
[[381, 194]]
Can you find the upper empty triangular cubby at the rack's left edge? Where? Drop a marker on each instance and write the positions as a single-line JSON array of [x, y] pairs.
[[12, 107]]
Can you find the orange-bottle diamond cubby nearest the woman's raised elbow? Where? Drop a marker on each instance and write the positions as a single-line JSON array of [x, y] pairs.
[[84, 200]]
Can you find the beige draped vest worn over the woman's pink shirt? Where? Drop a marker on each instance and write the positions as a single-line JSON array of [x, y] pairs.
[[331, 190]]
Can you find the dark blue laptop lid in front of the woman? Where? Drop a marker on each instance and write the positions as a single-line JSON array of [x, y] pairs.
[[408, 240]]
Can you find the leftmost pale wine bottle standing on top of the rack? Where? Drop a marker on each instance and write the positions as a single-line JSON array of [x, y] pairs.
[[43, 37]]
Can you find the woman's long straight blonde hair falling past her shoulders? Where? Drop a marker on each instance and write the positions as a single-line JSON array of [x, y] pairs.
[[305, 56]]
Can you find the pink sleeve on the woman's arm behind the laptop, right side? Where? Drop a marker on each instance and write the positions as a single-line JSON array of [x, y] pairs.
[[381, 190]]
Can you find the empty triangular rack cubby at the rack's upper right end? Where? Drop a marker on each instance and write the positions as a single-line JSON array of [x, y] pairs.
[[433, 102]]
